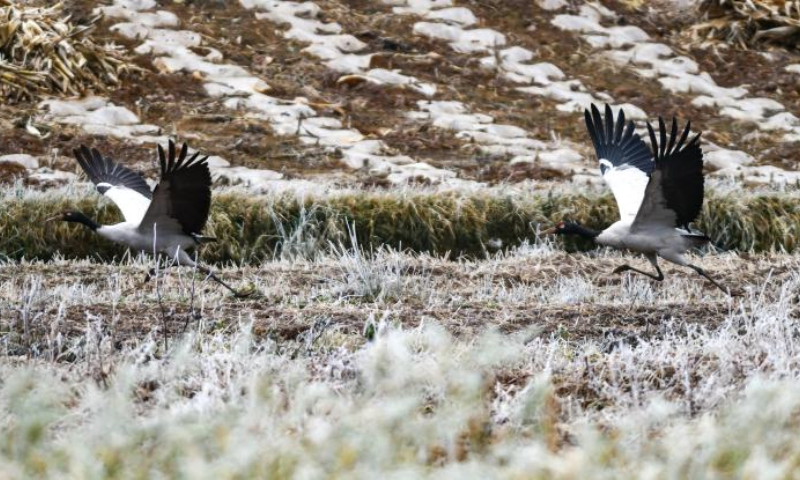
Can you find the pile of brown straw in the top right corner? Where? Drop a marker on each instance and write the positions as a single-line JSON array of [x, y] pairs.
[[748, 23]]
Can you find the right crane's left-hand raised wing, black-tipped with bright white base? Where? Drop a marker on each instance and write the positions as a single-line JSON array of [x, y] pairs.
[[625, 160]]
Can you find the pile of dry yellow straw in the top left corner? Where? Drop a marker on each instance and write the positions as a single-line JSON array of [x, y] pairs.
[[43, 52]]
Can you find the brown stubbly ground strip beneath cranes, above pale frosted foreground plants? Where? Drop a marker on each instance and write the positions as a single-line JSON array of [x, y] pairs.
[[571, 296]]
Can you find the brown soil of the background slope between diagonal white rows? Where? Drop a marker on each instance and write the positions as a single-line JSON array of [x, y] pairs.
[[177, 103]]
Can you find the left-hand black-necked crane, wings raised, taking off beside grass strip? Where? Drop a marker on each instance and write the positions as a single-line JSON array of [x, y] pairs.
[[167, 220]]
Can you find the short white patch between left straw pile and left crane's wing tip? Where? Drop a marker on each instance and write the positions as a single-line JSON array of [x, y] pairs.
[[98, 116]]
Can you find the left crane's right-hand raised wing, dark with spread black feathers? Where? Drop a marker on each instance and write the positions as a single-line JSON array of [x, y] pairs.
[[183, 193]]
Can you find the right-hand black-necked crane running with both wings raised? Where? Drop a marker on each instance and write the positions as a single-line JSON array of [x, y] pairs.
[[658, 193]]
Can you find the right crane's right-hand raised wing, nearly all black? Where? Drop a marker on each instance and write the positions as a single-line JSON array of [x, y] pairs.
[[674, 195]]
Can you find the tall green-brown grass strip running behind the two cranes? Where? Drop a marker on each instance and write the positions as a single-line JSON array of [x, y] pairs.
[[472, 222]]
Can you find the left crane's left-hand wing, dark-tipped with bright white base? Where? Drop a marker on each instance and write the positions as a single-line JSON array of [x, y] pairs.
[[126, 188]]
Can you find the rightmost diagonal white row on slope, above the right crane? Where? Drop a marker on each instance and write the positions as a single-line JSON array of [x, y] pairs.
[[630, 45]]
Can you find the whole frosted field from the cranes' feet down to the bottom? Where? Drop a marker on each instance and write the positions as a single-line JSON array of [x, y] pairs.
[[533, 363]]
